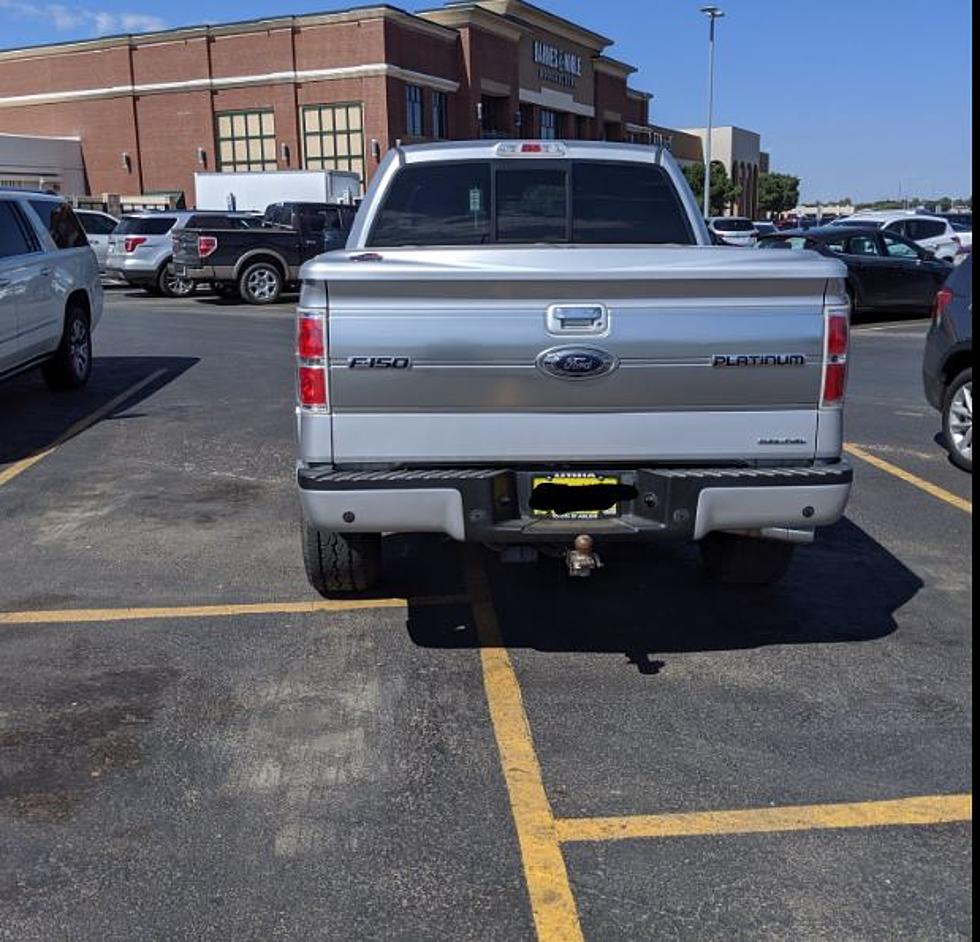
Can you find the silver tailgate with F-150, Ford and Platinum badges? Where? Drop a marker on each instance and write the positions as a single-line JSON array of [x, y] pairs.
[[575, 354]]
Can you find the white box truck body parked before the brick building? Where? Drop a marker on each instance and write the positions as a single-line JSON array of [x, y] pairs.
[[255, 191]]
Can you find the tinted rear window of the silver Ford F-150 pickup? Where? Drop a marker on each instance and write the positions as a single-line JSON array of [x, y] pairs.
[[584, 202]]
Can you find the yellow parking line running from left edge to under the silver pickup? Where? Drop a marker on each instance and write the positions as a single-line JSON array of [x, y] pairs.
[[79, 615]]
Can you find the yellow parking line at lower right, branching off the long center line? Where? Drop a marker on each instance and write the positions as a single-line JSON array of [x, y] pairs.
[[926, 809]]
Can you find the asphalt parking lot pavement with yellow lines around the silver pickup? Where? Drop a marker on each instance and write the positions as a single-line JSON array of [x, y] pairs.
[[192, 744]]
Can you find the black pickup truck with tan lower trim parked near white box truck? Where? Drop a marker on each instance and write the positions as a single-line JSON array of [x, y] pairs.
[[259, 264]]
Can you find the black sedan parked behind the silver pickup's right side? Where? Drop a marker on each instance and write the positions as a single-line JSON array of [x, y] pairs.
[[885, 271]]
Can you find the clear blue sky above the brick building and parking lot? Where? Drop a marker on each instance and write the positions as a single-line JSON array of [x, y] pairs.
[[859, 98]]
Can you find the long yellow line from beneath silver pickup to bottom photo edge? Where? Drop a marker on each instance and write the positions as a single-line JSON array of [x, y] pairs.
[[552, 903]]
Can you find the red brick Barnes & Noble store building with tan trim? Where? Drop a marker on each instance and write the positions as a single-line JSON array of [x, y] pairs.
[[331, 90]]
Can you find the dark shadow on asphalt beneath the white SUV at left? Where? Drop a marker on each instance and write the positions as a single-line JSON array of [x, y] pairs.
[[33, 418]]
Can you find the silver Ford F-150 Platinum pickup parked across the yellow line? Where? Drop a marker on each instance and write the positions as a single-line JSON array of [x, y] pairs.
[[535, 344]]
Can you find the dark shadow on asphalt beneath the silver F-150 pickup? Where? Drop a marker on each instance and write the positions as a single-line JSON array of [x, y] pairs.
[[654, 600]]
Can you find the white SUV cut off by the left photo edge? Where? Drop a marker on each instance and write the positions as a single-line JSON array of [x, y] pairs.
[[50, 291]]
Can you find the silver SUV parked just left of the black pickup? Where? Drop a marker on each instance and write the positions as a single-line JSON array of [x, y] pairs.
[[141, 247]]
